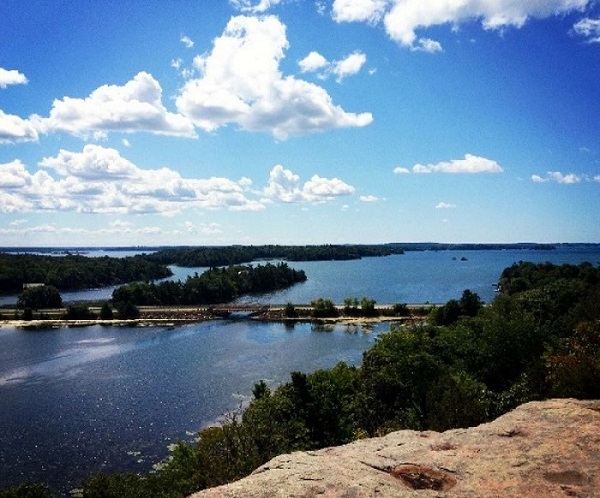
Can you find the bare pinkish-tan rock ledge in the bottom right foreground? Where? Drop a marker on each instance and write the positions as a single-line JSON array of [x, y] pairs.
[[541, 449]]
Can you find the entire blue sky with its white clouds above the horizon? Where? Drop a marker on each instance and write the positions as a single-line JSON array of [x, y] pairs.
[[218, 122]]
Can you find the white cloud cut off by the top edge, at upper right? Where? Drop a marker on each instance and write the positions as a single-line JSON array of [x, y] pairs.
[[402, 18]]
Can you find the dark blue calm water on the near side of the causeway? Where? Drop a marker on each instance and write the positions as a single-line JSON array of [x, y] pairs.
[[80, 400]]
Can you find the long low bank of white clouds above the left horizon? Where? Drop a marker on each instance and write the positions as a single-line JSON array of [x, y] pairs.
[[99, 180]]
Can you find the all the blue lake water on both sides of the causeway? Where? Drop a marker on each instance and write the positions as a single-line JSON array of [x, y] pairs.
[[80, 400]]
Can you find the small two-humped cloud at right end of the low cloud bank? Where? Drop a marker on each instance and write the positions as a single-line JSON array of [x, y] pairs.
[[285, 186]]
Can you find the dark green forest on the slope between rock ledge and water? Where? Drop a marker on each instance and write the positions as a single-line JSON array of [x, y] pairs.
[[468, 364]]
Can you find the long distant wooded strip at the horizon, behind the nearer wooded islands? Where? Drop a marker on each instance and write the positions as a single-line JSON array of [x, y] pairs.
[[230, 255]]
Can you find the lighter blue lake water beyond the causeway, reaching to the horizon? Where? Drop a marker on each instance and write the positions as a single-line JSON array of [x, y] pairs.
[[413, 277]]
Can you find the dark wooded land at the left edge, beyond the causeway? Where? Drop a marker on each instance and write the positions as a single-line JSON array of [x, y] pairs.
[[74, 272]]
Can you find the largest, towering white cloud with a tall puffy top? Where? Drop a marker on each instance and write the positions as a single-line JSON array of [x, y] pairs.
[[241, 83]]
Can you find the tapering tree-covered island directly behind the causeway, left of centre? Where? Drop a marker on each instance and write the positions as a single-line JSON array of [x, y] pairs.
[[216, 285]]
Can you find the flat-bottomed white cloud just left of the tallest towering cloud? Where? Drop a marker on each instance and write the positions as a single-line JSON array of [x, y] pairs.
[[136, 106]]
